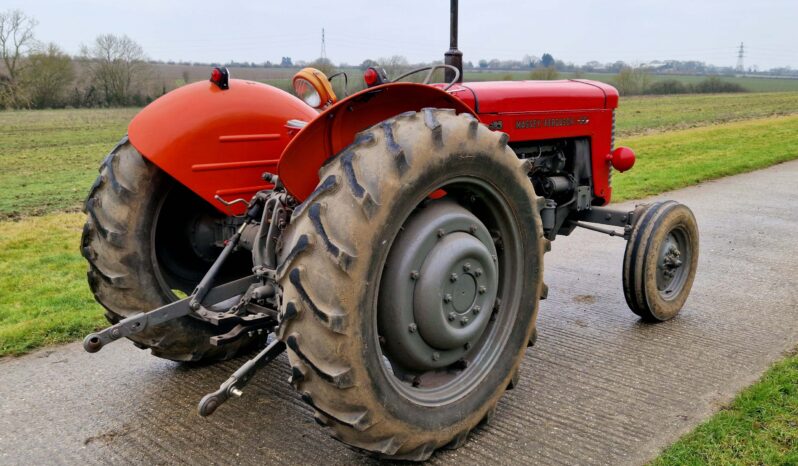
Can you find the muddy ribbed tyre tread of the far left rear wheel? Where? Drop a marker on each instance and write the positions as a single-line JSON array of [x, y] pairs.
[[117, 242]]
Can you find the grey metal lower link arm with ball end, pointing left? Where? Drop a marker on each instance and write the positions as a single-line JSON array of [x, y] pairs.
[[139, 322]]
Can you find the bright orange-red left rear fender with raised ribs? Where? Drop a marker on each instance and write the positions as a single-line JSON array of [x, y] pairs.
[[218, 142]]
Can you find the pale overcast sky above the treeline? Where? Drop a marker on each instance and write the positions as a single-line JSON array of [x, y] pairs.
[[578, 31]]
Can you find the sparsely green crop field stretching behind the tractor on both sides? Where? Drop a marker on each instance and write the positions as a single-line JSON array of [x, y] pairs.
[[48, 159]]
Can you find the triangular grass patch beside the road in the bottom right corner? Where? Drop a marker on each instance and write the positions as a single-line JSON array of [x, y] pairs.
[[759, 427]]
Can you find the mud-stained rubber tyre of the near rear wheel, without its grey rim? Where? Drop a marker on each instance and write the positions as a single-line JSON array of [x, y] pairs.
[[331, 261]]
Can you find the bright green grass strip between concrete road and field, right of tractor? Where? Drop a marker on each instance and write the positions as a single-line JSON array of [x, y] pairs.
[[677, 159]]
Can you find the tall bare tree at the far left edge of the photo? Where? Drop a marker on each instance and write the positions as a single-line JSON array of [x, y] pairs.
[[16, 39]]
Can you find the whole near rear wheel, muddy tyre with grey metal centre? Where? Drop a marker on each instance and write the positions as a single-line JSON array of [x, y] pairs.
[[411, 279]]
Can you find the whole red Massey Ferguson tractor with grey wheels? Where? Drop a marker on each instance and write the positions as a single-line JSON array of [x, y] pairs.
[[392, 241]]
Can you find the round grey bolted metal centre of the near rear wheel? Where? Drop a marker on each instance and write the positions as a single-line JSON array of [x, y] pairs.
[[438, 288]]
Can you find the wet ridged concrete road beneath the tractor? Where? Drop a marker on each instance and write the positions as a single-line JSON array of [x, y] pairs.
[[600, 387]]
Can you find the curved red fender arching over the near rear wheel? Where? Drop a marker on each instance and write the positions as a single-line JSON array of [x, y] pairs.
[[336, 128]]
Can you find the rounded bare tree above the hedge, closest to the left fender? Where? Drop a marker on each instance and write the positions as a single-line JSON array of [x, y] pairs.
[[117, 65]]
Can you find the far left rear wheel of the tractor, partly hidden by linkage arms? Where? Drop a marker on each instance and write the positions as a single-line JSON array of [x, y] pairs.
[[140, 240]]
